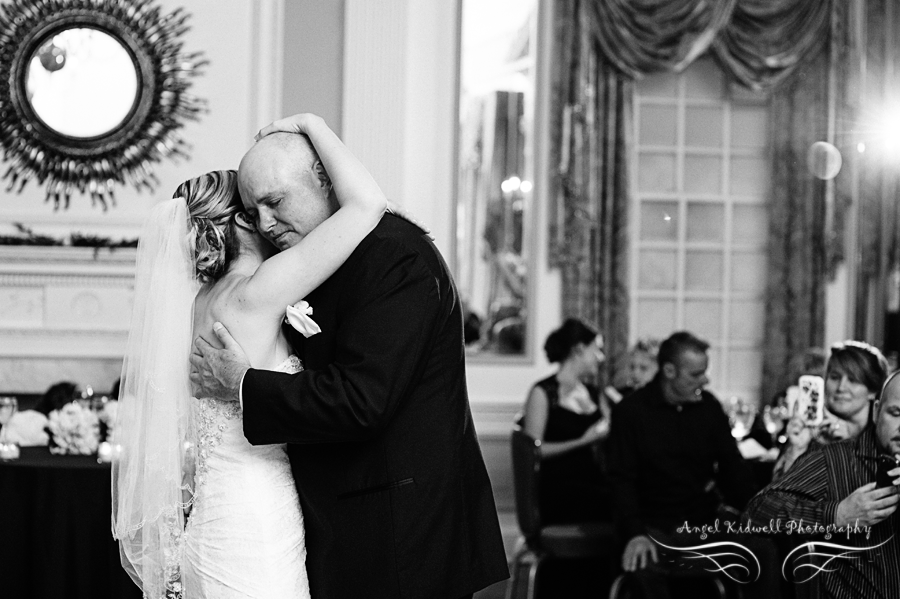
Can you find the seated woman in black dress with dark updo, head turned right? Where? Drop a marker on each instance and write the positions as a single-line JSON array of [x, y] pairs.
[[564, 412]]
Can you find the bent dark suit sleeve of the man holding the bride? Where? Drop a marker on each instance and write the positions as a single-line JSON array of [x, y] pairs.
[[380, 346]]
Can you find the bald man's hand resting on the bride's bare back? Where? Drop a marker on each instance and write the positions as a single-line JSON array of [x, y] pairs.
[[218, 372]]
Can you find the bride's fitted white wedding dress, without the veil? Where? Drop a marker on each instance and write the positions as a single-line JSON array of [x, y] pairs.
[[244, 537]]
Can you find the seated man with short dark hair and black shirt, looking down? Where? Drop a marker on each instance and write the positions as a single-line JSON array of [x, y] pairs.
[[668, 442]]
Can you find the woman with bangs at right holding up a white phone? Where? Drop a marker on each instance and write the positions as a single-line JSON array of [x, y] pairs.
[[853, 375]]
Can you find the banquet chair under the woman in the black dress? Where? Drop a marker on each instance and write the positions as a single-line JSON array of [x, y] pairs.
[[539, 541]]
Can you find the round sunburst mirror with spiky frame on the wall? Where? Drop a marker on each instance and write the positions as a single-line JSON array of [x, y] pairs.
[[93, 94]]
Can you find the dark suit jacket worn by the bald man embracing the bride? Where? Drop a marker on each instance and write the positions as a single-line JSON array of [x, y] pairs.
[[396, 498]]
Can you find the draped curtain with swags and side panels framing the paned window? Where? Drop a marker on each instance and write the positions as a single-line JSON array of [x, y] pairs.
[[601, 47]]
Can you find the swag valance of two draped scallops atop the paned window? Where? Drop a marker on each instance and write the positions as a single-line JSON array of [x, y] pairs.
[[757, 42]]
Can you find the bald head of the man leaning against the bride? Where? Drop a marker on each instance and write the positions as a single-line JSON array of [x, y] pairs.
[[284, 188]]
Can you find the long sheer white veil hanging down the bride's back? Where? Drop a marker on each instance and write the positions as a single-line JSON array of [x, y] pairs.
[[150, 490]]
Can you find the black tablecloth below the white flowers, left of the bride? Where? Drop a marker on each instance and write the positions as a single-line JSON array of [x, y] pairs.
[[55, 522]]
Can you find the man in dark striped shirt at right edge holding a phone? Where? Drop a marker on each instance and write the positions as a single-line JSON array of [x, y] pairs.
[[836, 486]]
